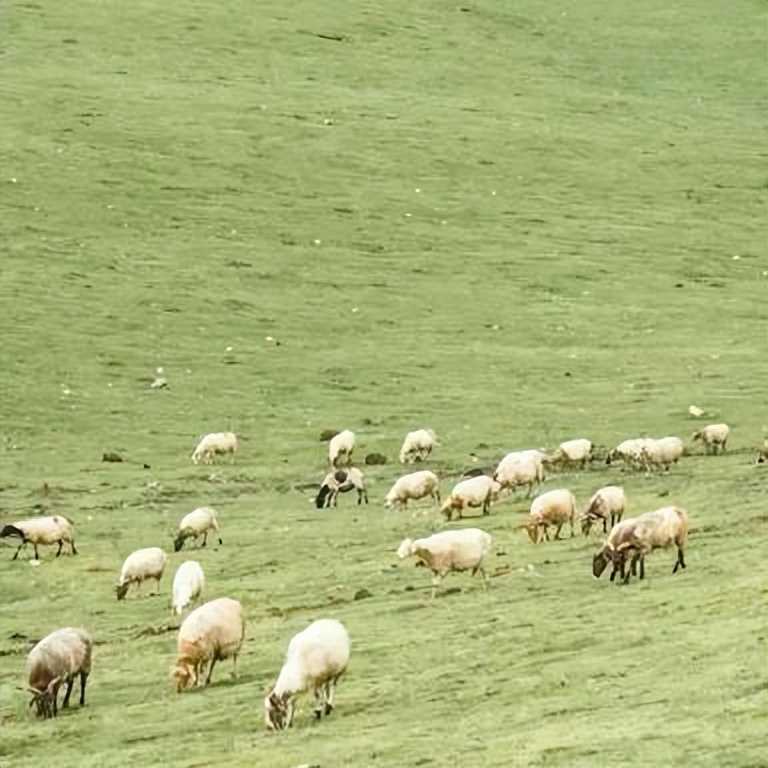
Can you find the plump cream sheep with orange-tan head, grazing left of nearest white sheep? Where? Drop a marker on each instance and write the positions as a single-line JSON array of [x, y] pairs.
[[212, 632]]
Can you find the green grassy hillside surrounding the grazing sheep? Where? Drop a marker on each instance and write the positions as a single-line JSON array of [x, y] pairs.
[[514, 223]]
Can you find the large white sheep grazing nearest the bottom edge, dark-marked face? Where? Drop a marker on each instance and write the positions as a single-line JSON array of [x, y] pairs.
[[316, 658]]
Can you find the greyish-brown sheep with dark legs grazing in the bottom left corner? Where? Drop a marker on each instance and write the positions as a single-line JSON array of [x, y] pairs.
[[58, 658]]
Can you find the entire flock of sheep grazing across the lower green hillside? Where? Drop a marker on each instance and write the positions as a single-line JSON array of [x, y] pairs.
[[317, 657]]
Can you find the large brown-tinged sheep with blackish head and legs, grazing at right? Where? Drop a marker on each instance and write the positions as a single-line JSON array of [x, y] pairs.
[[641, 535]]
